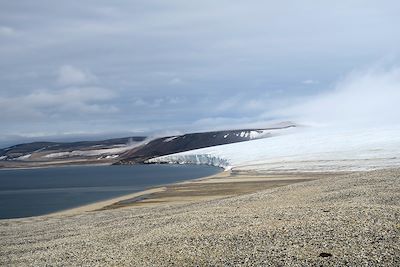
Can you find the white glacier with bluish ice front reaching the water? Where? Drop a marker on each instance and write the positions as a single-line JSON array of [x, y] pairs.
[[304, 149]]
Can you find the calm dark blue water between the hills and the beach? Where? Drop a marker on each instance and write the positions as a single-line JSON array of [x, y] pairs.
[[32, 192]]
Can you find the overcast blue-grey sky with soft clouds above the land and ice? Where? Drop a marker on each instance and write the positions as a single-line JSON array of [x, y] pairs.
[[107, 68]]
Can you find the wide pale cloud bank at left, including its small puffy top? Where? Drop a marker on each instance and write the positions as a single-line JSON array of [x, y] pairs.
[[73, 98]]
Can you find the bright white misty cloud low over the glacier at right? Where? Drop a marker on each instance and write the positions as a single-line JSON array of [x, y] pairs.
[[368, 97]]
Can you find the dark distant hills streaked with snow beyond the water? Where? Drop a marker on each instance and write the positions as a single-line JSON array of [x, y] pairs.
[[128, 150]]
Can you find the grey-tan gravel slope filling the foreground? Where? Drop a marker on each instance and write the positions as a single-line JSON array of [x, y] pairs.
[[352, 220]]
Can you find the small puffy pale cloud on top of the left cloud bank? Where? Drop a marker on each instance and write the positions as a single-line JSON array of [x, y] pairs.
[[70, 75]]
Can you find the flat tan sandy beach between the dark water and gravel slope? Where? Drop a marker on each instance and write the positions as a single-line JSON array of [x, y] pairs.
[[220, 185]]
